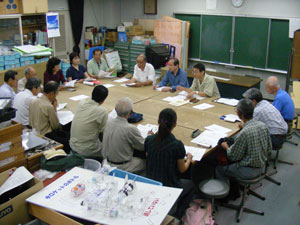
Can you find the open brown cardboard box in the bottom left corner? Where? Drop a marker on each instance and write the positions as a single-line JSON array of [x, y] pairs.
[[15, 211]]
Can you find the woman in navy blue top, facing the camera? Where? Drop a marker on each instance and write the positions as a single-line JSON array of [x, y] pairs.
[[76, 71]]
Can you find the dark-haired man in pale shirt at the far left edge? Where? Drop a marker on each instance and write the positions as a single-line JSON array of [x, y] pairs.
[[10, 82]]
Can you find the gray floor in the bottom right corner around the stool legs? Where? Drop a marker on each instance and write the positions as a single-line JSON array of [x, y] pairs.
[[281, 206]]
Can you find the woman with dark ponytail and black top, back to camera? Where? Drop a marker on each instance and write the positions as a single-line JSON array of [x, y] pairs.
[[165, 160]]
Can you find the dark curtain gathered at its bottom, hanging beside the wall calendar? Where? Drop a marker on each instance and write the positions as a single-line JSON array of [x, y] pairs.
[[76, 15]]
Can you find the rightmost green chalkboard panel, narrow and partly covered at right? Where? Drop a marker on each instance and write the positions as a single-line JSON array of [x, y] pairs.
[[280, 45]]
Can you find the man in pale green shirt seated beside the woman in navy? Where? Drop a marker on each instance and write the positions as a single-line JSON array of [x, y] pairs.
[[96, 64]]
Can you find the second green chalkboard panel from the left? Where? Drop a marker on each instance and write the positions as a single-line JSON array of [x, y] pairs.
[[216, 38]]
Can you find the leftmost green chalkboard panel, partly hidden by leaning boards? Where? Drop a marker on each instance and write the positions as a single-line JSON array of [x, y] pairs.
[[194, 40]]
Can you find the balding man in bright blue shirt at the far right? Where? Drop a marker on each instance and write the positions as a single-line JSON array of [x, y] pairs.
[[283, 102]]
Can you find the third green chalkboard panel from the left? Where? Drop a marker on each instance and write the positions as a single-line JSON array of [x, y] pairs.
[[250, 41]]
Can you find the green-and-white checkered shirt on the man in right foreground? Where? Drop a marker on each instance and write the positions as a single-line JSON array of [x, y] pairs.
[[251, 145]]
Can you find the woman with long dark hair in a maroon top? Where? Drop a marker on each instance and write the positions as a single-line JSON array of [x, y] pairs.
[[53, 72]]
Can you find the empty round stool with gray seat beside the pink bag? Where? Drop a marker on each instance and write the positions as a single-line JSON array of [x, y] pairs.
[[214, 189]]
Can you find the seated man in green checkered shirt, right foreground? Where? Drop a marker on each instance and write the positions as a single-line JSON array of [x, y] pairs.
[[249, 152]]
